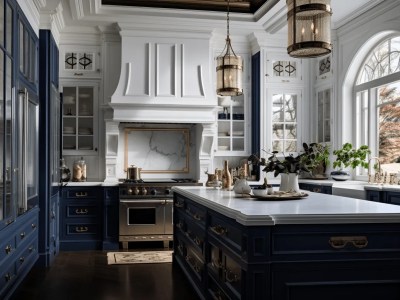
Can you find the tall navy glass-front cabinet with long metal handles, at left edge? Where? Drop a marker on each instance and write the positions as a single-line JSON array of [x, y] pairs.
[[19, 108]]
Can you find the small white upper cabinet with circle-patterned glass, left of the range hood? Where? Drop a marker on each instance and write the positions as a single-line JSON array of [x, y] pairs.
[[80, 61]]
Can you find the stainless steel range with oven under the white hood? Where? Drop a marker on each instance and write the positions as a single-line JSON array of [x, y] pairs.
[[145, 210]]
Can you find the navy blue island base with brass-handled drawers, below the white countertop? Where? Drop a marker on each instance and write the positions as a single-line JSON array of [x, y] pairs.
[[224, 259]]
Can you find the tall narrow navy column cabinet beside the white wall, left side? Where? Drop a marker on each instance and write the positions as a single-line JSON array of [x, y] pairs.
[[49, 149]]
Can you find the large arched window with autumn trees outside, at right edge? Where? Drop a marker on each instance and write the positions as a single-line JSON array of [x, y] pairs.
[[377, 92]]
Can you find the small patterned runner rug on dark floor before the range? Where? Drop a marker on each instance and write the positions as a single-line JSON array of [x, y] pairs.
[[147, 257]]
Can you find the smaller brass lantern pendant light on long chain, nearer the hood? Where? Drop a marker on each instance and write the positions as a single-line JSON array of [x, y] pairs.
[[229, 69]]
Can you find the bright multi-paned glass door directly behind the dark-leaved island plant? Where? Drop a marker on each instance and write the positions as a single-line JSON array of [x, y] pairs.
[[284, 122]]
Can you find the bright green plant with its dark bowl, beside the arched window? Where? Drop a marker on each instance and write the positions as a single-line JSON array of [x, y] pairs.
[[349, 157]]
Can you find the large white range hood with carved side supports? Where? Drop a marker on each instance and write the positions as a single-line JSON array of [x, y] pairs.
[[165, 78]]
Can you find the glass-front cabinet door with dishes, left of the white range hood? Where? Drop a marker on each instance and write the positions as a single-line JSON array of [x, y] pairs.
[[79, 118]]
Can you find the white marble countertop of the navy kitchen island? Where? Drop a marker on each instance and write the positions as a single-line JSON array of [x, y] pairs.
[[315, 209]]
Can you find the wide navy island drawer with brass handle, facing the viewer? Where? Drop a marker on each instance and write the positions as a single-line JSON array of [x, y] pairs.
[[344, 239]]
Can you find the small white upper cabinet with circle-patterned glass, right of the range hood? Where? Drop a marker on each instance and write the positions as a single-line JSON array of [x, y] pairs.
[[281, 68]]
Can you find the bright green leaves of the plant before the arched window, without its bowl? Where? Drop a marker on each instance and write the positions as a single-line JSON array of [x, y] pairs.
[[347, 156]]
